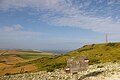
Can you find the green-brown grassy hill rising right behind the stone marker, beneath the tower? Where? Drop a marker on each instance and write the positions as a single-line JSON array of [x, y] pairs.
[[97, 53]]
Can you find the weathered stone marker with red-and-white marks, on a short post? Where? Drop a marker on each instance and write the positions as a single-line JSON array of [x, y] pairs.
[[75, 65]]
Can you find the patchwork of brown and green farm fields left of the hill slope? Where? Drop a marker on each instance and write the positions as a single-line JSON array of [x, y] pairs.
[[9, 59]]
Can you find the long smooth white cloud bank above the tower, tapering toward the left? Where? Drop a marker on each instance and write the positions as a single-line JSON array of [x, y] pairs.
[[105, 25]]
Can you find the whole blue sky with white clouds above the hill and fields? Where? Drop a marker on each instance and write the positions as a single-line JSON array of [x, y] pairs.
[[57, 24]]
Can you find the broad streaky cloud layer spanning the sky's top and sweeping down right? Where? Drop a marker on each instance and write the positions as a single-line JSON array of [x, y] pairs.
[[100, 16]]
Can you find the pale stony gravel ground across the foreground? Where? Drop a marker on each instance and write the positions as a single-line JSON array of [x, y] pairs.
[[106, 71]]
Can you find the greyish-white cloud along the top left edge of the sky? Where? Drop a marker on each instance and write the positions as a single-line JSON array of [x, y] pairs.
[[16, 4]]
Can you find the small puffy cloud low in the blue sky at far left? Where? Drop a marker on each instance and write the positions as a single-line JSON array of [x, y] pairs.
[[13, 28]]
